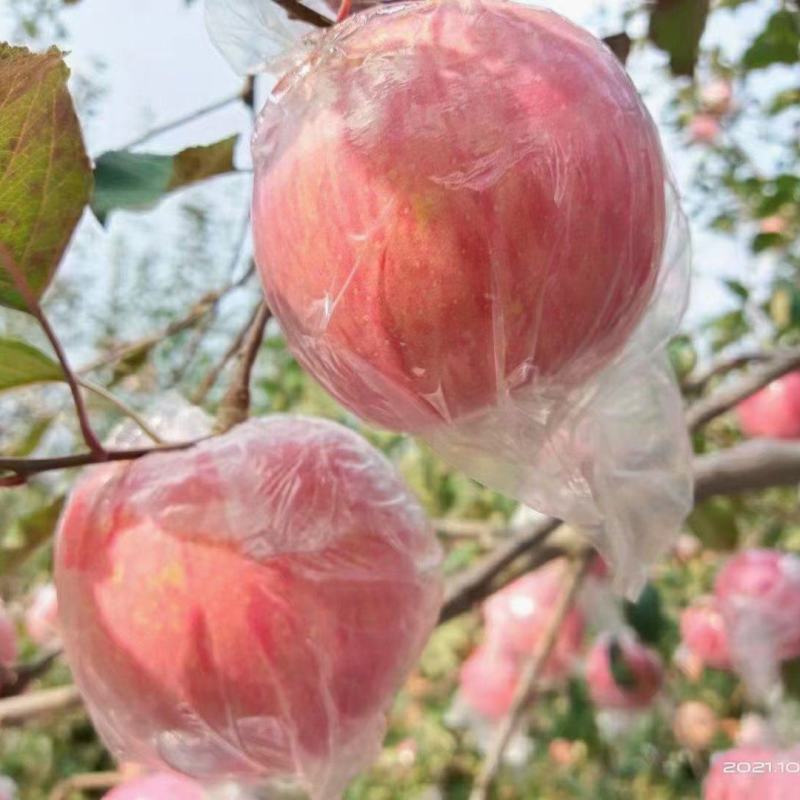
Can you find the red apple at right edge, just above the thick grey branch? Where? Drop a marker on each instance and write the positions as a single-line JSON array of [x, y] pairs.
[[774, 411]]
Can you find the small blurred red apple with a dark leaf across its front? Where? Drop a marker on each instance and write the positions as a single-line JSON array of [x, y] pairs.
[[639, 669]]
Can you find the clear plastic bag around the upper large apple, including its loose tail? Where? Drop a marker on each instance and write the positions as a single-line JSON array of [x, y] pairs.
[[464, 222]]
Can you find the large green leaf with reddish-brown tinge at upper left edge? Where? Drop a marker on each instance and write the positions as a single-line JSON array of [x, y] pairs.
[[45, 177]]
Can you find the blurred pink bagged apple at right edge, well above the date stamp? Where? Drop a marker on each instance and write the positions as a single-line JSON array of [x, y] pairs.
[[758, 593]]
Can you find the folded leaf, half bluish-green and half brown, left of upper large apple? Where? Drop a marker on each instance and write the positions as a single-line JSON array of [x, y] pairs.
[[137, 181]]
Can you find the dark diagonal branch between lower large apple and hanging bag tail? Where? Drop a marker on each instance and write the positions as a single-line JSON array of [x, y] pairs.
[[475, 583]]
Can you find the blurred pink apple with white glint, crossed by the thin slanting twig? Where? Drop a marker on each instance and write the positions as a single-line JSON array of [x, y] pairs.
[[516, 618]]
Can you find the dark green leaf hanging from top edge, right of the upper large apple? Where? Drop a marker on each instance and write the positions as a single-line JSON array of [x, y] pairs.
[[676, 26]]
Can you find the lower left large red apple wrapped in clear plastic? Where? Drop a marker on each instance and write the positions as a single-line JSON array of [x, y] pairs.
[[246, 608]]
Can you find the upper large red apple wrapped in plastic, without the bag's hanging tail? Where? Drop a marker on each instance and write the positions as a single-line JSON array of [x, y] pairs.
[[440, 219]]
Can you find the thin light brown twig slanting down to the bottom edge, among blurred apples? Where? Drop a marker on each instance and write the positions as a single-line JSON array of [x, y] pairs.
[[529, 678]]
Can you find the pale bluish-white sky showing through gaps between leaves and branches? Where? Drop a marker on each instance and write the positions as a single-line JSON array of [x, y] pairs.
[[155, 63]]
